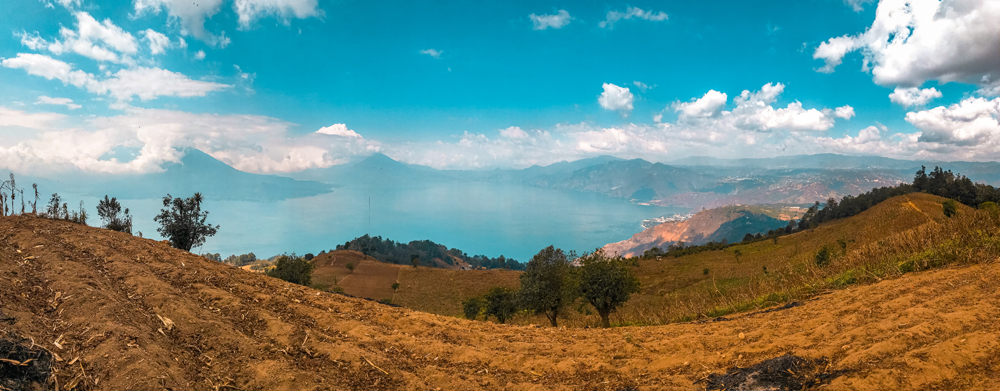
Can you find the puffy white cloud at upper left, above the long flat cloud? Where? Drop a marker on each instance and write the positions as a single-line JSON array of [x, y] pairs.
[[96, 40]]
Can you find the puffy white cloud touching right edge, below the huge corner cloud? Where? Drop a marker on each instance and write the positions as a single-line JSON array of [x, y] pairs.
[[971, 122]]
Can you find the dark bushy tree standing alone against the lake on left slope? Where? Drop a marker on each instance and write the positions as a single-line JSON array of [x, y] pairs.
[[183, 222]]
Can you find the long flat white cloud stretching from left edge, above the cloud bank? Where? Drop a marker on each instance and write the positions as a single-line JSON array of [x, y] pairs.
[[144, 83]]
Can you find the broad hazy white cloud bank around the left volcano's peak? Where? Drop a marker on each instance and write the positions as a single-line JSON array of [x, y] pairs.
[[246, 142]]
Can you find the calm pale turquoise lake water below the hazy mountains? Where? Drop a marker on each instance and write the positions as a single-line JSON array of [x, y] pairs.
[[478, 218]]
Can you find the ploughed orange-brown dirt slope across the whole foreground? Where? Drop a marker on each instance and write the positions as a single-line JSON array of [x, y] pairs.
[[99, 293]]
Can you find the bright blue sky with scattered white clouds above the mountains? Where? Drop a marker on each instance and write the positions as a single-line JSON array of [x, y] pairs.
[[286, 85]]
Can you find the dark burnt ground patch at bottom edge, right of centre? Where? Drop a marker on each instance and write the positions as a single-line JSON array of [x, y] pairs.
[[788, 372]]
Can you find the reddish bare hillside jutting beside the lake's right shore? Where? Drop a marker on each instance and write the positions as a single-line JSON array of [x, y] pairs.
[[729, 222]]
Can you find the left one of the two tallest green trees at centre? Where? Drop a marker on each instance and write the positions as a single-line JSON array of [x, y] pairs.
[[547, 284]]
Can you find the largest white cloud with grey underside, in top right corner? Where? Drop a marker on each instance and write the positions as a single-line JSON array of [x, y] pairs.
[[912, 41]]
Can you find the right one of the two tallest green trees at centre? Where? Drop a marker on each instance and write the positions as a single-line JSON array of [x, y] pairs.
[[606, 283]]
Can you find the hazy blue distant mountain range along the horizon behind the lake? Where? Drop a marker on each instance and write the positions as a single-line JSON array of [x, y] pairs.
[[694, 182]]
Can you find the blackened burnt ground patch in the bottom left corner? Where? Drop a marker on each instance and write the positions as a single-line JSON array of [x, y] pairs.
[[23, 365]]
